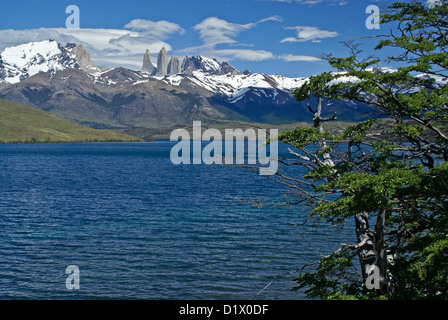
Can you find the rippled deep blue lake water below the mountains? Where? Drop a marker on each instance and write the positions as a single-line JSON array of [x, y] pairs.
[[139, 227]]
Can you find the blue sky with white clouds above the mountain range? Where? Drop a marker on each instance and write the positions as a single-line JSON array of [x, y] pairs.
[[271, 36]]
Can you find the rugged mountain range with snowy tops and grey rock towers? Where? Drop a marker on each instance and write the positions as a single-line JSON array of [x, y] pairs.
[[62, 79]]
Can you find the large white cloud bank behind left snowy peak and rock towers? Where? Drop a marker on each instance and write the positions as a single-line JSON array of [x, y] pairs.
[[106, 46]]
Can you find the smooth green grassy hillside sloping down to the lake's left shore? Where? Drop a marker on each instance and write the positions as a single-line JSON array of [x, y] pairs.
[[25, 124]]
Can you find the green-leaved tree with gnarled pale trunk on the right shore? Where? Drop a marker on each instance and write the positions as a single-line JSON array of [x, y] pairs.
[[403, 172]]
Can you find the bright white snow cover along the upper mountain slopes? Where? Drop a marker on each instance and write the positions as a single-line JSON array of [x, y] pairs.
[[220, 78]]
